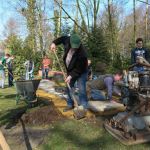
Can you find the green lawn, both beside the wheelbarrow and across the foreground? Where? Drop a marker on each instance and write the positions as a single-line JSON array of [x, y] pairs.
[[67, 134]]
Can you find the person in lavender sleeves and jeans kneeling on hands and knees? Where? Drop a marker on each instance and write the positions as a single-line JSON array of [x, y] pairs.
[[103, 83]]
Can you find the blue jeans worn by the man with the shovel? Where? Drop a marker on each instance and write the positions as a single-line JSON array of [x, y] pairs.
[[81, 83]]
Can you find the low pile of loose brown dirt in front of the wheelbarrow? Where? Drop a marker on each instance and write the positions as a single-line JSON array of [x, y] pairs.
[[42, 116]]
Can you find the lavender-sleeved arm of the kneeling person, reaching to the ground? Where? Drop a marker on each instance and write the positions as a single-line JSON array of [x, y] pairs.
[[109, 85]]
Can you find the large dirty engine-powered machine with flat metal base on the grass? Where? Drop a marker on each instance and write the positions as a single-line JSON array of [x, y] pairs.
[[134, 123]]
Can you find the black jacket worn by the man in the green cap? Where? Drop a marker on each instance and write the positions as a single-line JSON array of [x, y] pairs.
[[78, 64]]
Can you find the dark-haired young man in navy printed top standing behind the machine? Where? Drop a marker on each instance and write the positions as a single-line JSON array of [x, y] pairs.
[[139, 51]]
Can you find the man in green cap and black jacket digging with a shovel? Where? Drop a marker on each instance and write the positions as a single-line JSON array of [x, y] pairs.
[[75, 60]]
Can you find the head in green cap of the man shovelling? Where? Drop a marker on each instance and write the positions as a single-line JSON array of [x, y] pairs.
[[75, 41]]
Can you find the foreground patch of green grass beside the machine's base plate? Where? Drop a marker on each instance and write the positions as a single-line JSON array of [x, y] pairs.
[[80, 135]]
